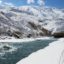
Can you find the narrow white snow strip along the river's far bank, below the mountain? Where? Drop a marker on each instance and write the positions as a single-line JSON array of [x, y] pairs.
[[24, 39]]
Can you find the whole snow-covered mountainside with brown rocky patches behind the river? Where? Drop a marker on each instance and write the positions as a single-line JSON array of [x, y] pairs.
[[31, 21]]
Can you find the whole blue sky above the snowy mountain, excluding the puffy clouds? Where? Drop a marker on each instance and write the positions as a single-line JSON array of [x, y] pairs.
[[51, 3]]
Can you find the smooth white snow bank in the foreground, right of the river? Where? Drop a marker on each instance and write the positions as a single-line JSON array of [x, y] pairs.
[[52, 54]]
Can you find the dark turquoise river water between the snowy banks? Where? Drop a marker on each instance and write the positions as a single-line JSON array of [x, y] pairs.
[[22, 50]]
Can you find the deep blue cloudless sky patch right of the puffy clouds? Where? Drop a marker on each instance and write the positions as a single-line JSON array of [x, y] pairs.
[[55, 3]]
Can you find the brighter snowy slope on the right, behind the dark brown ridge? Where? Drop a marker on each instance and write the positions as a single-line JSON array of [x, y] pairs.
[[52, 18]]
